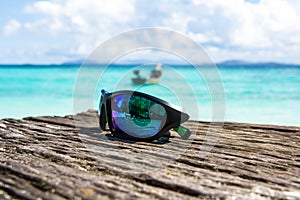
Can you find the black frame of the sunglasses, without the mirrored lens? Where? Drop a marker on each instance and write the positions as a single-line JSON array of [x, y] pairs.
[[175, 115]]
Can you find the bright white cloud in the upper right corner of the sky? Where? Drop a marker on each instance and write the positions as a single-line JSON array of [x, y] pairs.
[[265, 25]]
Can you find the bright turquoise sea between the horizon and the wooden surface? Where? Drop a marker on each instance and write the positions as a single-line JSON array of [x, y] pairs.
[[265, 93]]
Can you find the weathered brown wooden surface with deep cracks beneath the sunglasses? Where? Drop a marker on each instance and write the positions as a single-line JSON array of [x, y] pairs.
[[70, 158]]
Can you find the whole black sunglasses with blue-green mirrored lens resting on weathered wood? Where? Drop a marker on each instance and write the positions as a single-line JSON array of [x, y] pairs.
[[138, 116]]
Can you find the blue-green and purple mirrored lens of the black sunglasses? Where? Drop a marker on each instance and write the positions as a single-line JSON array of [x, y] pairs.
[[137, 116]]
